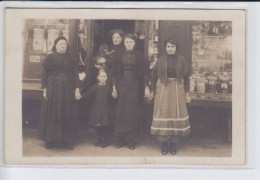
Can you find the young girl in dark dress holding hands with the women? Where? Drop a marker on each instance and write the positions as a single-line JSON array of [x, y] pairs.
[[101, 115]]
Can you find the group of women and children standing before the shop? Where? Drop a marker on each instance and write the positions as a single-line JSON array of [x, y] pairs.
[[122, 76]]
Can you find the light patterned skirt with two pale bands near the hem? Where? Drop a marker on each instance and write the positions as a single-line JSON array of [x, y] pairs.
[[170, 117]]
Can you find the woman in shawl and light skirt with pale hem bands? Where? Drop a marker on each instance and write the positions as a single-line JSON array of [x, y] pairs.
[[170, 81]]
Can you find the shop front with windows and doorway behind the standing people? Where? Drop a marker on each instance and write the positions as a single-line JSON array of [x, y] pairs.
[[206, 45]]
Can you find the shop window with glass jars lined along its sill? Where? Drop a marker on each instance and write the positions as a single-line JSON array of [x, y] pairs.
[[211, 57]]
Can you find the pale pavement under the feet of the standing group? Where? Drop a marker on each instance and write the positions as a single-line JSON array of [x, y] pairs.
[[146, 146]]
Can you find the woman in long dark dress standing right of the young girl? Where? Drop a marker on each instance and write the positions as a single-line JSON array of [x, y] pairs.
[[129, 75]]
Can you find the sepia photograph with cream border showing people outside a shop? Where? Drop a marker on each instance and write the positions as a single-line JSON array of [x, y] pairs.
[[116, 87]]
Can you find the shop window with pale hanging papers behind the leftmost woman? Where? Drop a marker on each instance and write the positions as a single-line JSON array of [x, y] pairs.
[[39, 39]]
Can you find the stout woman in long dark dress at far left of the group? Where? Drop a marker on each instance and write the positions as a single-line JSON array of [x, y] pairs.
[[57, 125]]
